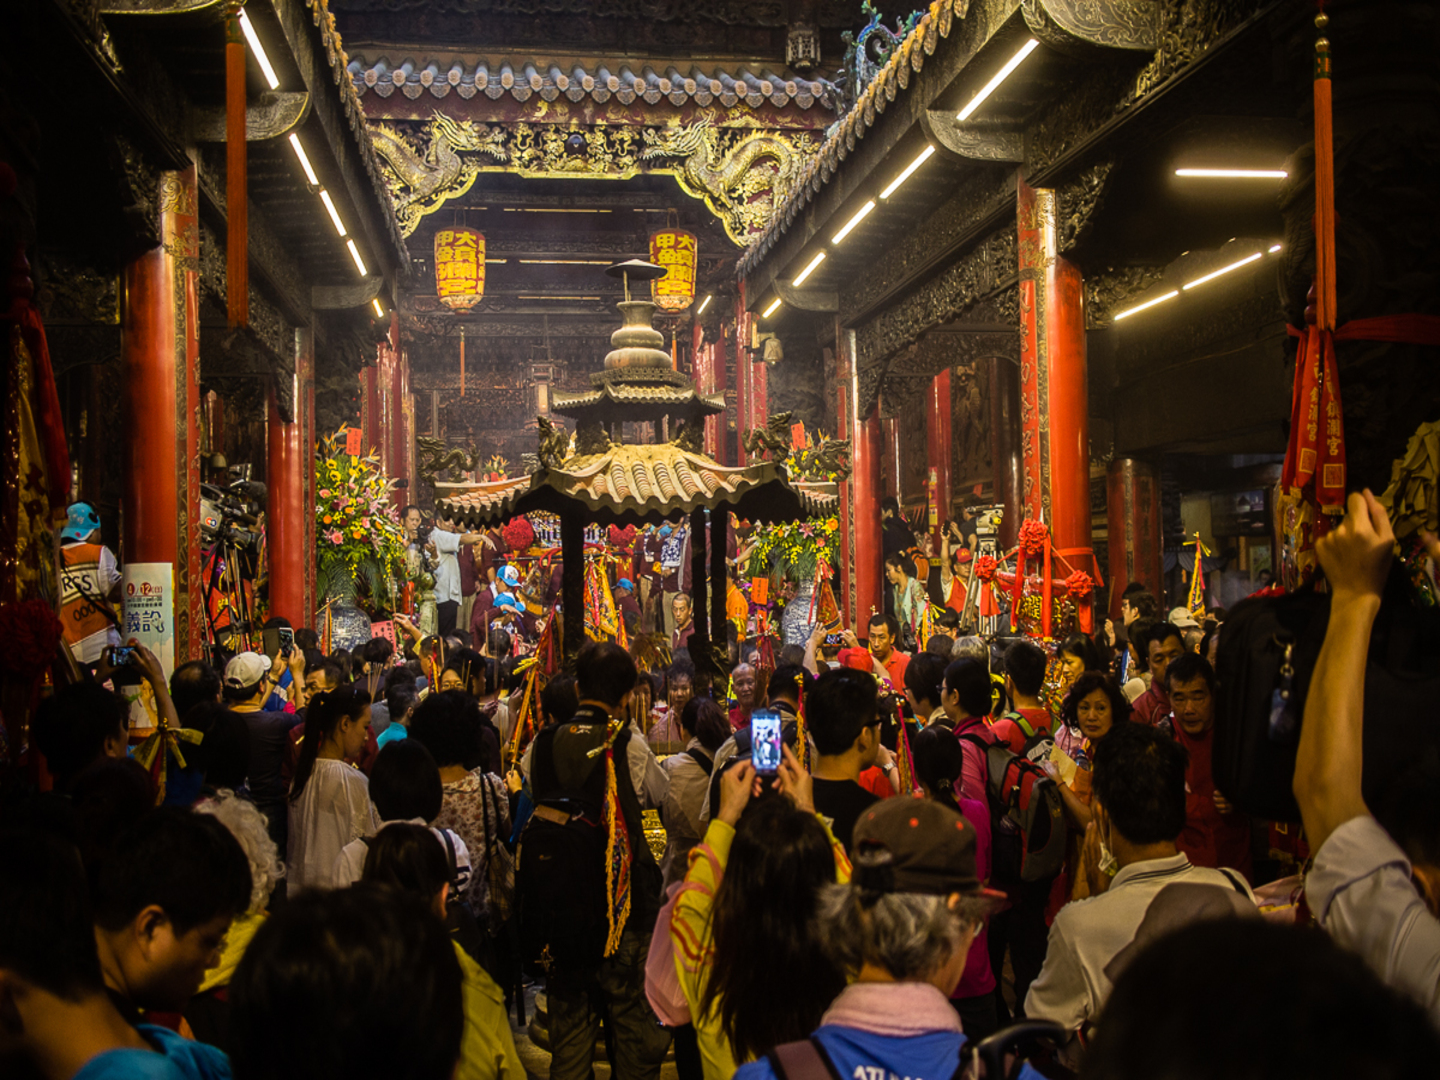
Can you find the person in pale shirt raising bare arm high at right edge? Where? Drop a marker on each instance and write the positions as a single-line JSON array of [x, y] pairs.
[[1373, 895]]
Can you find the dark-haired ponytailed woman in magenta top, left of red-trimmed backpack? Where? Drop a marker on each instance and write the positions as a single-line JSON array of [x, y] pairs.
[[938, 761]]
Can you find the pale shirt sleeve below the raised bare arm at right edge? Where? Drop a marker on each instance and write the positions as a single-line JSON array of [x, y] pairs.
[[1363, 895]]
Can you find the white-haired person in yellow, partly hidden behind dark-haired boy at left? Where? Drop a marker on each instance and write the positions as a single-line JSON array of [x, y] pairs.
[[208, 1012]]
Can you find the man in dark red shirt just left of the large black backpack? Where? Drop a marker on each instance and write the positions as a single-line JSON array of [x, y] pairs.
[[1216, 836]]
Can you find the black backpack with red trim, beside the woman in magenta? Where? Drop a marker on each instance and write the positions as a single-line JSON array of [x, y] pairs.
[[1027, 817]]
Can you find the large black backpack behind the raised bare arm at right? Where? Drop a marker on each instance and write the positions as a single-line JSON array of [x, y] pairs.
[[1266, 659]]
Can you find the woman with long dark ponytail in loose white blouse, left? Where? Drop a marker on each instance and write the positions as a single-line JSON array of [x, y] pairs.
[[329, 800]]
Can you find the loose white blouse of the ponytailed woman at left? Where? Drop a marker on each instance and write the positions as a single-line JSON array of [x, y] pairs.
[[333, 810]]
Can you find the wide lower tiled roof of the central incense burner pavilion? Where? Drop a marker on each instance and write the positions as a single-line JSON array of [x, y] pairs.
[[631, 485]]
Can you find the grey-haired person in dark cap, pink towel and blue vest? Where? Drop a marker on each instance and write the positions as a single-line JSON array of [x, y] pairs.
[[902, 928]]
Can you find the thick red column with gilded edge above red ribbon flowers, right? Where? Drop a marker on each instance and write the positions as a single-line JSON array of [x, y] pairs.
[[1055, 402]]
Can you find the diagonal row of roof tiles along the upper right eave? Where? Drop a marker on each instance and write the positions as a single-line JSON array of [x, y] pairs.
[[894, 80]]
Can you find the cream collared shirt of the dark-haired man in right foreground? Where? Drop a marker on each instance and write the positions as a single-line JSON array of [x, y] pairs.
[[1088, 934]]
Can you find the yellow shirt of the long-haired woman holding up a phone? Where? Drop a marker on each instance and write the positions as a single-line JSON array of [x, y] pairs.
[[695, 950]]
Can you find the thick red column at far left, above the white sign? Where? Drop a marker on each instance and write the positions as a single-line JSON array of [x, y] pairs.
[[149, 459]]
